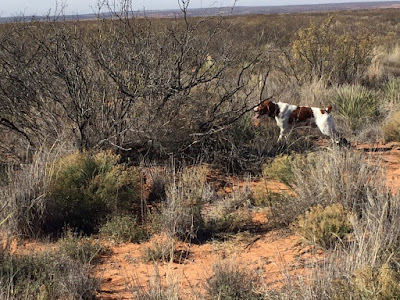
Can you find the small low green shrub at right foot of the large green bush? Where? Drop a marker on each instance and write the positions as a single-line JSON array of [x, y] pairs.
[[123, 229]]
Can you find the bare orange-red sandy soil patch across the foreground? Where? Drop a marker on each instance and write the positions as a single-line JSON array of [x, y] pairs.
[[274, 256]]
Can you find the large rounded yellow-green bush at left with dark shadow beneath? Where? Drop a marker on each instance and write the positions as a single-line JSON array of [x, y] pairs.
[[84, 189]]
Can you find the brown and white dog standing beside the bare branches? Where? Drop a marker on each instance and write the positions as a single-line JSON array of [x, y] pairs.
[[288, 115]]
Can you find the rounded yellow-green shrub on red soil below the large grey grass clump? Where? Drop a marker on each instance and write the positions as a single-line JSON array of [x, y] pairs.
[[325, 226]]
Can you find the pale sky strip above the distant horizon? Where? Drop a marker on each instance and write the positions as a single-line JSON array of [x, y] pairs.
[[42, 7]]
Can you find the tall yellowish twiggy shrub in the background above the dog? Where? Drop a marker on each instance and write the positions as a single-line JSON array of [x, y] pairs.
[[324, 51]]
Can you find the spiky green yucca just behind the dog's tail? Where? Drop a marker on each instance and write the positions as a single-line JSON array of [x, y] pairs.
[[356, 105]]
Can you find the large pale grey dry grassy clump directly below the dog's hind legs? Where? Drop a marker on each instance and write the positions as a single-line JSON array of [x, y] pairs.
[[336, 176]]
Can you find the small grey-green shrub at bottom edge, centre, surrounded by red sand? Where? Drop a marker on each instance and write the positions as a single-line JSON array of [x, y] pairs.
[[232, 282]]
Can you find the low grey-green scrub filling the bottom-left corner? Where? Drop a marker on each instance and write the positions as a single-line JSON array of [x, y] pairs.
[[45, 276]]
